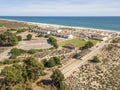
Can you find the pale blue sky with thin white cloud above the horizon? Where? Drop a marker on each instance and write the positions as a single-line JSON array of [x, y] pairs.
[[59, 7]]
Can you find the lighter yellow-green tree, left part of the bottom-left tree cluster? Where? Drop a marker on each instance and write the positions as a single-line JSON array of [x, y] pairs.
[[13, 75]]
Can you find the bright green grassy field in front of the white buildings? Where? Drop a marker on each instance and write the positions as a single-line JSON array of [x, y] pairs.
[[77, 42]]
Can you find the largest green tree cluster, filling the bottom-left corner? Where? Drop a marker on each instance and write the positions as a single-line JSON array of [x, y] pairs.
[[20, 77]]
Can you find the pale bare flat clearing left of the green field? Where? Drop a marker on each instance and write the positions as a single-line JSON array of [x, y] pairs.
[[34, 44]]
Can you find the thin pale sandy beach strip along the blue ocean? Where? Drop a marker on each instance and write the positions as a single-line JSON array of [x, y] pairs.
[[63, 26]]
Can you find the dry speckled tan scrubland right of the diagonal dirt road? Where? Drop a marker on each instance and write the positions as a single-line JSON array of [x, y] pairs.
[[99, 76]]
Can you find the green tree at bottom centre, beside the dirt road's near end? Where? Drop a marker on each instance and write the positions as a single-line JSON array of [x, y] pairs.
[[58, 79]]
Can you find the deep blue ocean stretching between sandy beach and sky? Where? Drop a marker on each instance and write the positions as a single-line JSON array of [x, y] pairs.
[[106, 23]]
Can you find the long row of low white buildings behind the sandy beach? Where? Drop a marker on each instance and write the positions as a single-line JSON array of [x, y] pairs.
[[69, 35]]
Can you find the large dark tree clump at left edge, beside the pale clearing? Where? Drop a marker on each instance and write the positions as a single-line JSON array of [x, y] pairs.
[[8, 39]]
